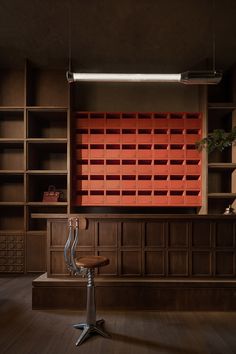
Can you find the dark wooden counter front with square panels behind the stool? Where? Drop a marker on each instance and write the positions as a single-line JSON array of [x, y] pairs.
[[160, 248]]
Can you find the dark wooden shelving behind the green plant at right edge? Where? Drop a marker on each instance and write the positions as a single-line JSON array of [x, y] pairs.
[[221, 165]]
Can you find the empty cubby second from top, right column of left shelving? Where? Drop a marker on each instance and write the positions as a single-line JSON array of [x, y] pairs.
[[47, 124]]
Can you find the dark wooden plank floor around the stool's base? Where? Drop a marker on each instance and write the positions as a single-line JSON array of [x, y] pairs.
[[26, 331]]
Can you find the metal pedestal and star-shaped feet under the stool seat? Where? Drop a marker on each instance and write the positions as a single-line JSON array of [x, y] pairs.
[[91, 325]]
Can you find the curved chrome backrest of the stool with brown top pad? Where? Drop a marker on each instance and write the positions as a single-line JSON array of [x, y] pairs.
[[74, 225]]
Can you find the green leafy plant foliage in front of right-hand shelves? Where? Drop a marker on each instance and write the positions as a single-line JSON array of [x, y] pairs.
[[218, 139]]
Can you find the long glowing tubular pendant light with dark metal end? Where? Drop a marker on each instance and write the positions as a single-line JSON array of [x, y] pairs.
[[188, 77]]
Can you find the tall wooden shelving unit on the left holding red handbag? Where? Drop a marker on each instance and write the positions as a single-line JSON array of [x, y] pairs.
[[34, 133]]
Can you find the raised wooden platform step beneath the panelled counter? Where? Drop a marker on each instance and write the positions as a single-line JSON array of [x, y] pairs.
[[136, 293]]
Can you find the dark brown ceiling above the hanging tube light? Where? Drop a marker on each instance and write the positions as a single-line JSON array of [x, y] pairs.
[[121, 36]]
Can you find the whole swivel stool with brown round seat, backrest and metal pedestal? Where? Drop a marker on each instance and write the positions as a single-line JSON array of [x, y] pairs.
[[84, 266]]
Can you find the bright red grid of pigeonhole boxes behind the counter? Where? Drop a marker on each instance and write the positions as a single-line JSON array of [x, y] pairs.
[[138, 158]]
